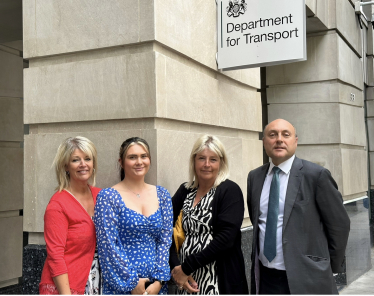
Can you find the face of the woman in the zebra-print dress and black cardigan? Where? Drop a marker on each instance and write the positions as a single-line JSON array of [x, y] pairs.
[[207, 165]]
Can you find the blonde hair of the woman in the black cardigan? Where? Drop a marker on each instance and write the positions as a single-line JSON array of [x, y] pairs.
[[215, 145]]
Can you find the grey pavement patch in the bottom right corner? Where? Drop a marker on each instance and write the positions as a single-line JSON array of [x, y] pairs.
[[364, 285]]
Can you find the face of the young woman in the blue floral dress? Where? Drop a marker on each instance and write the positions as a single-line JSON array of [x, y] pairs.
[[136, 163]]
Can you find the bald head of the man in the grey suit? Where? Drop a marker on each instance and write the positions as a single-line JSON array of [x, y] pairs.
[[280, 141]]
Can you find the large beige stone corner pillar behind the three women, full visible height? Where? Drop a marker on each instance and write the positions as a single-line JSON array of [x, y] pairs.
[[109, 70]]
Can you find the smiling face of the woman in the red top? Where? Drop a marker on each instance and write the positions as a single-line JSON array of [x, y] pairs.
[[80, 166]]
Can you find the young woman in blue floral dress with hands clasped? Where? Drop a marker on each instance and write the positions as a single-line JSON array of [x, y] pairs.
[[133, 222]]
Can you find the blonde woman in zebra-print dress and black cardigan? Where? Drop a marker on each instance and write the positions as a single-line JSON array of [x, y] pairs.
[[210, 260]]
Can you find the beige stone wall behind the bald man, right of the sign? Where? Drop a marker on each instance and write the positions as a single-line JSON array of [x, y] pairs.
[[315, 95]]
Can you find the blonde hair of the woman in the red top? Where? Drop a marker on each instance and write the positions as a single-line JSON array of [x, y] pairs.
[[62, 158]]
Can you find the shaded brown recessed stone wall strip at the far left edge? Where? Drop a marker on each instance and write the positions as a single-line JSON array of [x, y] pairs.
[[11, 164]]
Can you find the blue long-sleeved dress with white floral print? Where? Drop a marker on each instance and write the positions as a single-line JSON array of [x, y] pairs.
[[131, 245]]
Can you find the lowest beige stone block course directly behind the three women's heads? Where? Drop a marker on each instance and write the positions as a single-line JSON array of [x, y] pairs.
[[170, 142]]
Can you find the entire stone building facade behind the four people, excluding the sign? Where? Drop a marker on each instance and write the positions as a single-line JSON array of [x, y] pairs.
[[109, 70]]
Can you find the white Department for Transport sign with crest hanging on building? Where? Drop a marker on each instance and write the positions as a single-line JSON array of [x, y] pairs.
[[256, 33]]
